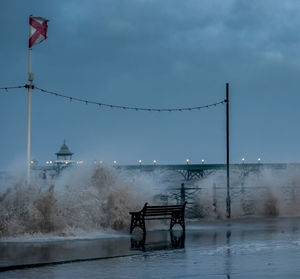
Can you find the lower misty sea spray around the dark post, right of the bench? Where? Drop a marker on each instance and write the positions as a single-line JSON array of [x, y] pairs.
[[268, 192]]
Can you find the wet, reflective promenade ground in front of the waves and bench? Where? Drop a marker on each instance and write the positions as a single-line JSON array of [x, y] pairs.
[[253, 248]]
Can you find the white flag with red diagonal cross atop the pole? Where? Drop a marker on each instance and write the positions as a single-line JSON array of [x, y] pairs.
[[38, 30]]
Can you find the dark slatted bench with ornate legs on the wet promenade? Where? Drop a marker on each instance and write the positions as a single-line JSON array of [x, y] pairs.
[[159, 212]]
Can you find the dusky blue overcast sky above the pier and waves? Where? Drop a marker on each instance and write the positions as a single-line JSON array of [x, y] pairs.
[[154, 54]]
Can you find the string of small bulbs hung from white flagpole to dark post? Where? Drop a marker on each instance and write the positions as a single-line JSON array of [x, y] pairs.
[[70, 98]]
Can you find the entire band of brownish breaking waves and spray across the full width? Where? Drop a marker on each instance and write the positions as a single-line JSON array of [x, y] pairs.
[[98, 199]]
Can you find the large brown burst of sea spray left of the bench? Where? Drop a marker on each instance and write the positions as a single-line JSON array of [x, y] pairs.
[[82, 199]]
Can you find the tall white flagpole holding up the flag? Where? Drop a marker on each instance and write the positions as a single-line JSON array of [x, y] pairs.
[[30, 79]]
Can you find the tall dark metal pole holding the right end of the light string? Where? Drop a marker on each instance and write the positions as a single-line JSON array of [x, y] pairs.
[[228, 201]]
